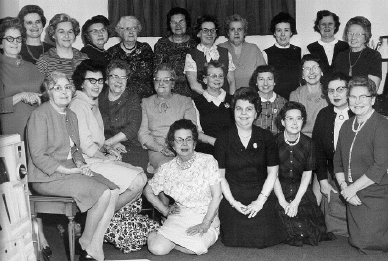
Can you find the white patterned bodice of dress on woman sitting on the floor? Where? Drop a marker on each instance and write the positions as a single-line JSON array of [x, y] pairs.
[[190, 188]]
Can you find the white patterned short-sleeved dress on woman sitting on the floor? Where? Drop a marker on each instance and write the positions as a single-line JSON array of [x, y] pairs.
[[190, 188]]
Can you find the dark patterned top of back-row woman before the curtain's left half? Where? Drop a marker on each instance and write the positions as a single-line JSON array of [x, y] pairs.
[[175, 54]]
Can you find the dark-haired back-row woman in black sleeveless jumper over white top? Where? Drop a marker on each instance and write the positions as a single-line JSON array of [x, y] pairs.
[[284, 56]]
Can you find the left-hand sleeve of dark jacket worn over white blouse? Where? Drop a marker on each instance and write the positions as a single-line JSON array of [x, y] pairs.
[[318, 137]]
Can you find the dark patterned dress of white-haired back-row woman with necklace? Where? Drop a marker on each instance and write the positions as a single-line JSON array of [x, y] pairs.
[[141, 64]]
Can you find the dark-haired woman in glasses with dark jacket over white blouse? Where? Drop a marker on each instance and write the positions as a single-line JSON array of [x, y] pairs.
[[325, 135]]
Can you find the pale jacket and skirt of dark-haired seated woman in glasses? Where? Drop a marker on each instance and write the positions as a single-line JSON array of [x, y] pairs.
[[91, 132]]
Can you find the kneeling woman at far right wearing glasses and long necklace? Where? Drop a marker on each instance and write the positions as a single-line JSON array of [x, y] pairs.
[[360, 167]]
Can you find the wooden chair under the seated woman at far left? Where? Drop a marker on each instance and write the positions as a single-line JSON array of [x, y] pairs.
[[54, 205]]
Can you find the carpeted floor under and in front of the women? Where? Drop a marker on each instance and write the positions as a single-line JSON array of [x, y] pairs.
[[333, 250]]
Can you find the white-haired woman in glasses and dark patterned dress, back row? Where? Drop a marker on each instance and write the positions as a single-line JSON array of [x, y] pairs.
[[138, 55]]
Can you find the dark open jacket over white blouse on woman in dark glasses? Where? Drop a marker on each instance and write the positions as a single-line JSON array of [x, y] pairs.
[[323, 136]]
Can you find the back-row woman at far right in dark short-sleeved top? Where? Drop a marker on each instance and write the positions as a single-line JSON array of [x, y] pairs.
[[359, 60]]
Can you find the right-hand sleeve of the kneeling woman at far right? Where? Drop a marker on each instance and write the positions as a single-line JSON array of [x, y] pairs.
[[379, 168]]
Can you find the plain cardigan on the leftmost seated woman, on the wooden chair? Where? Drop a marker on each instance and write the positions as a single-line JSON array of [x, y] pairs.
[[48, 134]]
